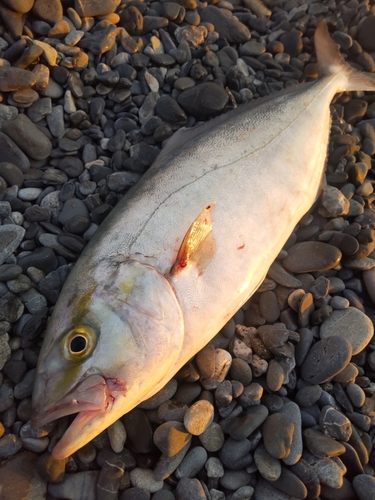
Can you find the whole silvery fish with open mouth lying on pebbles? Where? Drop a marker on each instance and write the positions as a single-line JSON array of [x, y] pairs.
[[183, 250]]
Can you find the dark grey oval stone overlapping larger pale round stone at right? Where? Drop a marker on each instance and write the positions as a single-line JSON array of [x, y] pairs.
[[326, 359]]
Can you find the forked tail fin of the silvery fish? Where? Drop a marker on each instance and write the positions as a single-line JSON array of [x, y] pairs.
[[331, 62]]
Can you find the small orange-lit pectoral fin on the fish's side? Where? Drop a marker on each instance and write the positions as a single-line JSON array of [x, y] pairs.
[[198, 246]]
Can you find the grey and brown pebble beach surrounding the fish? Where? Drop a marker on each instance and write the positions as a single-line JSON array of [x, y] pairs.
[[280, 405]]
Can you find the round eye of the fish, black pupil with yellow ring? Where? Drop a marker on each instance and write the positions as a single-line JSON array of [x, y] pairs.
[[79, 343]]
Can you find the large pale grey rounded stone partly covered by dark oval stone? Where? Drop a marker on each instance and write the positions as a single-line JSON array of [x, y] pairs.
[[350, 324]]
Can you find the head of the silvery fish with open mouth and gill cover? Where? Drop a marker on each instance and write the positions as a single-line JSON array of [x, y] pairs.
[[113, 337]]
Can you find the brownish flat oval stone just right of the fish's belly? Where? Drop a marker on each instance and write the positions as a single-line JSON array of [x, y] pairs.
[[309, 256]]
